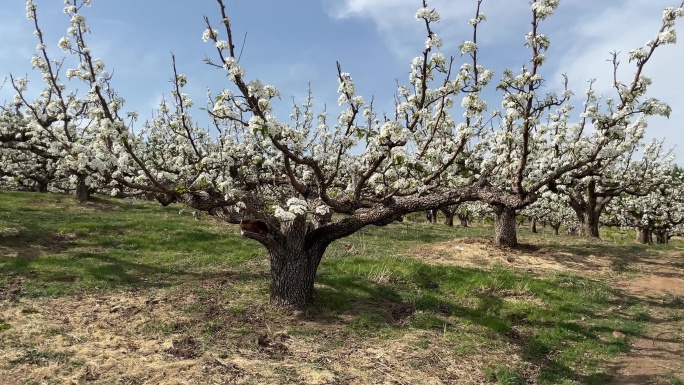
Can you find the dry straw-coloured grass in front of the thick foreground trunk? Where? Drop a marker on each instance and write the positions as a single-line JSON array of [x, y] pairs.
[[179, 337]]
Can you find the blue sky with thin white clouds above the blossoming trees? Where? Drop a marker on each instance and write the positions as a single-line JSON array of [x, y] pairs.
[[291, 44]]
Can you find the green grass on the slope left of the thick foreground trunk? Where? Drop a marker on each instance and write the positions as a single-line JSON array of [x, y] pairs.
[[65, 247]]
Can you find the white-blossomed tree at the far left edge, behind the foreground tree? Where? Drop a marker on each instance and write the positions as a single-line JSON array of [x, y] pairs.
[[57, 130]]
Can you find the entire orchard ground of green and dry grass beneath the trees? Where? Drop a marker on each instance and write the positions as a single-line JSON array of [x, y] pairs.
[[133, 293]]
